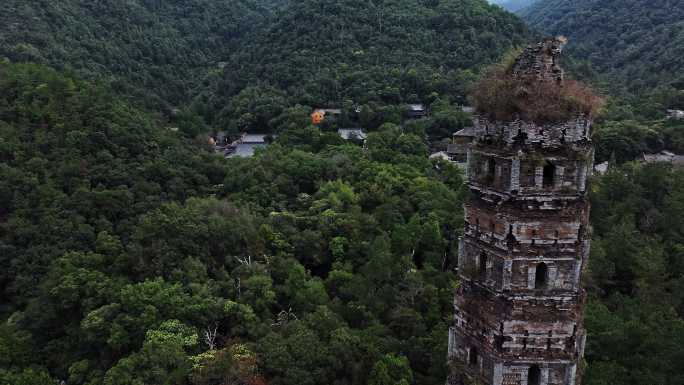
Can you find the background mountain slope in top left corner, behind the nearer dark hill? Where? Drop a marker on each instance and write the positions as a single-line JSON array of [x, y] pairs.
[[154, 49]]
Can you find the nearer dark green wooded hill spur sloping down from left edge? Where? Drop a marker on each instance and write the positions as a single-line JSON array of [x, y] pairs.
[[78, 163]]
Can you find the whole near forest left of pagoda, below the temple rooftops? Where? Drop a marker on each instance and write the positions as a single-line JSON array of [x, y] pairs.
[[123, 244]]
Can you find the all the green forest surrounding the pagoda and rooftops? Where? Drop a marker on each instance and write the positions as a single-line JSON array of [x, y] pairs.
[[130, 253]]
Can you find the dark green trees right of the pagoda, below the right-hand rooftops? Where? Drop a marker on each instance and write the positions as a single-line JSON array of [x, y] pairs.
[[634, 317]]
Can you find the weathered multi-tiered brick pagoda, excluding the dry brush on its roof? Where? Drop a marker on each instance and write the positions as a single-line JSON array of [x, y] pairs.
[[519, 310]]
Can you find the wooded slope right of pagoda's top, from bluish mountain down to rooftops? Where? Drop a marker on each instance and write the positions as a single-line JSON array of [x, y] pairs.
[[633, 51]]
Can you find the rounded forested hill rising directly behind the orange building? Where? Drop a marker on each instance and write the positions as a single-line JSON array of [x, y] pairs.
[[325, 52]]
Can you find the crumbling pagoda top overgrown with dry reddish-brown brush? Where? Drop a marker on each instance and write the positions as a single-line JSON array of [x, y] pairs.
[[532, 87]]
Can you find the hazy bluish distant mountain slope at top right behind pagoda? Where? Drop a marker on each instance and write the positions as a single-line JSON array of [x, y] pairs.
[[639, 43]]
